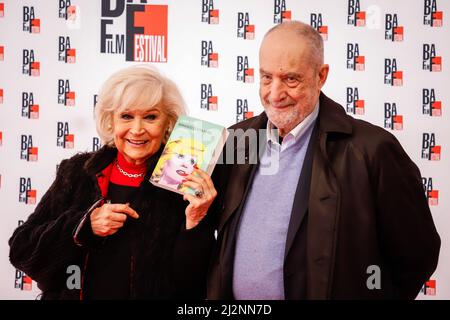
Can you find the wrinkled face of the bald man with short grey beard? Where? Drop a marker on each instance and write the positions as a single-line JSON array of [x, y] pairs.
[[290, 80]]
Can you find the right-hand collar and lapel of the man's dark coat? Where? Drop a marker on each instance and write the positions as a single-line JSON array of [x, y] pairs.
[[324, 202]]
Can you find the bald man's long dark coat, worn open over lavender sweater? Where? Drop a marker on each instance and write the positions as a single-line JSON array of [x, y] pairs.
[[366, 206]]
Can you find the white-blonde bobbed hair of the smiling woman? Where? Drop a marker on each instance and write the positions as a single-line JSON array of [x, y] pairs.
[[136, 86]]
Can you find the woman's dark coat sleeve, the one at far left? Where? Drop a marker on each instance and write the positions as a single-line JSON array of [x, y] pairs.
[[43, 246]]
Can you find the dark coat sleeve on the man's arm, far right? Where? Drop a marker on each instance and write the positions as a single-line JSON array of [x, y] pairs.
[[407, 233]]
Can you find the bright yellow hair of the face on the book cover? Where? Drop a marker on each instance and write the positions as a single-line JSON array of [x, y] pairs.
[[181, 146]]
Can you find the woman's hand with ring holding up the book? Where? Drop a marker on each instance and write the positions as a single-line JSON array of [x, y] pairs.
[[198, 205]]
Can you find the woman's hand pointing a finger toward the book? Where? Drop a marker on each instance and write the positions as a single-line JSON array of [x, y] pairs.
[[109, 218]]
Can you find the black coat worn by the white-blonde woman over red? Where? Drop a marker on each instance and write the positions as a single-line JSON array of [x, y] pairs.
[[170, 261]]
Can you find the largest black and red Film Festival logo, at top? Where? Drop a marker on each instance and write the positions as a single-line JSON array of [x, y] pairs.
[[146, 31]]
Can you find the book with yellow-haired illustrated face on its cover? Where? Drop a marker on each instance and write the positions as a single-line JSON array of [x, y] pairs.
[[192, 143]]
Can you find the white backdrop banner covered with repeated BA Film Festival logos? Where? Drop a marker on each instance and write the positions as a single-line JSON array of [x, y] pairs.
[[388, 65]]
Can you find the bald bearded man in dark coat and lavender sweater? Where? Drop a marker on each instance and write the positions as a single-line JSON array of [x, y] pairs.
[[343, 216]]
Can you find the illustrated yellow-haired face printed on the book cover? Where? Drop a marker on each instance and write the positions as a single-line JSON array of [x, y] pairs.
[[179, 159]]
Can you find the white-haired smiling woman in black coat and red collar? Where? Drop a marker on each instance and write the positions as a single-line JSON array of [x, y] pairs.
[[101, 216]]
